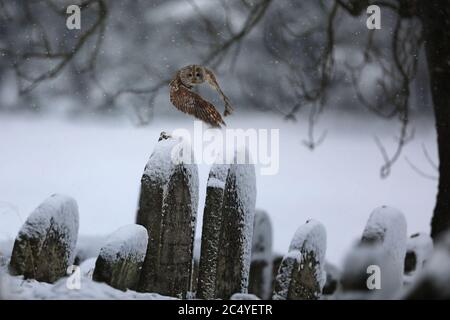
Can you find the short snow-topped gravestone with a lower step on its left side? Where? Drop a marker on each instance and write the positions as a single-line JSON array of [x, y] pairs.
[[301, 275]]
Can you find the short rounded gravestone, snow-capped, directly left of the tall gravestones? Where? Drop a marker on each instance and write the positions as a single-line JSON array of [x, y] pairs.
[[120, 260]]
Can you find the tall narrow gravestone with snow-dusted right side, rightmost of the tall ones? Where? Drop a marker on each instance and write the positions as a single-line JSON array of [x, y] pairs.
[[235, 240]]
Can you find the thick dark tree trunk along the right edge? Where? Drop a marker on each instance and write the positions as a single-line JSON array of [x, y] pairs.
[[435, 16]]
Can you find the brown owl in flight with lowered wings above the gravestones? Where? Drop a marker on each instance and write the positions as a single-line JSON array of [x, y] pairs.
[[184, 99]]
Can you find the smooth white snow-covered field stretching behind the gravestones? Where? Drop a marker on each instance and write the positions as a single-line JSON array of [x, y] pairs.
[[100, 164]]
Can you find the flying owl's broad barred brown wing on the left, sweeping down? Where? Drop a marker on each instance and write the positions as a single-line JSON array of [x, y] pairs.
[[191, 103]]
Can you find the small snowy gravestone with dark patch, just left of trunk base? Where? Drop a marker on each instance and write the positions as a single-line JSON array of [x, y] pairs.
[[419, 248]]
